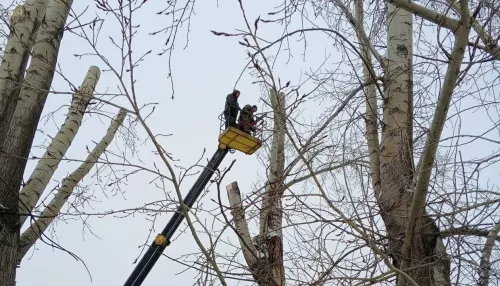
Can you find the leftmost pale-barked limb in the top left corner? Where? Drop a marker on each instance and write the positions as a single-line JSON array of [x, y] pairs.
[[24, 24]]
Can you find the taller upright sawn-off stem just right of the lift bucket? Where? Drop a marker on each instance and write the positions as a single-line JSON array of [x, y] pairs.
[[271, 214]]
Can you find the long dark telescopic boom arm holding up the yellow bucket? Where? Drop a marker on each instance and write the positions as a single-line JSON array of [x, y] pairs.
[[163, 239]]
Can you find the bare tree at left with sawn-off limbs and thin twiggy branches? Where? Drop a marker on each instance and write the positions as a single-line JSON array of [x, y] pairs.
[[37, 42]]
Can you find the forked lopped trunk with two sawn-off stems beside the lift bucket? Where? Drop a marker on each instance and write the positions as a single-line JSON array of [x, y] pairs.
[[264, 253]]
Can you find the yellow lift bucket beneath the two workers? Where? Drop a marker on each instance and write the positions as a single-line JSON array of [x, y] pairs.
[[236, 139]]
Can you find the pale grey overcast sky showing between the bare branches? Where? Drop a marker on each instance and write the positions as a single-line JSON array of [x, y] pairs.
[[204, 74]]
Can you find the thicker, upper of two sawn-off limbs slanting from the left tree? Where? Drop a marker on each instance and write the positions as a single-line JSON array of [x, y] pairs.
[[47, 165]]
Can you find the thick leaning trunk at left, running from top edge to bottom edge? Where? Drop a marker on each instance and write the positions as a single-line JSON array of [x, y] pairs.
[[21, 130]]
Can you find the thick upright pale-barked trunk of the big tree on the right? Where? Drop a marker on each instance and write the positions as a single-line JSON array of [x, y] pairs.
[[396, 155]]
